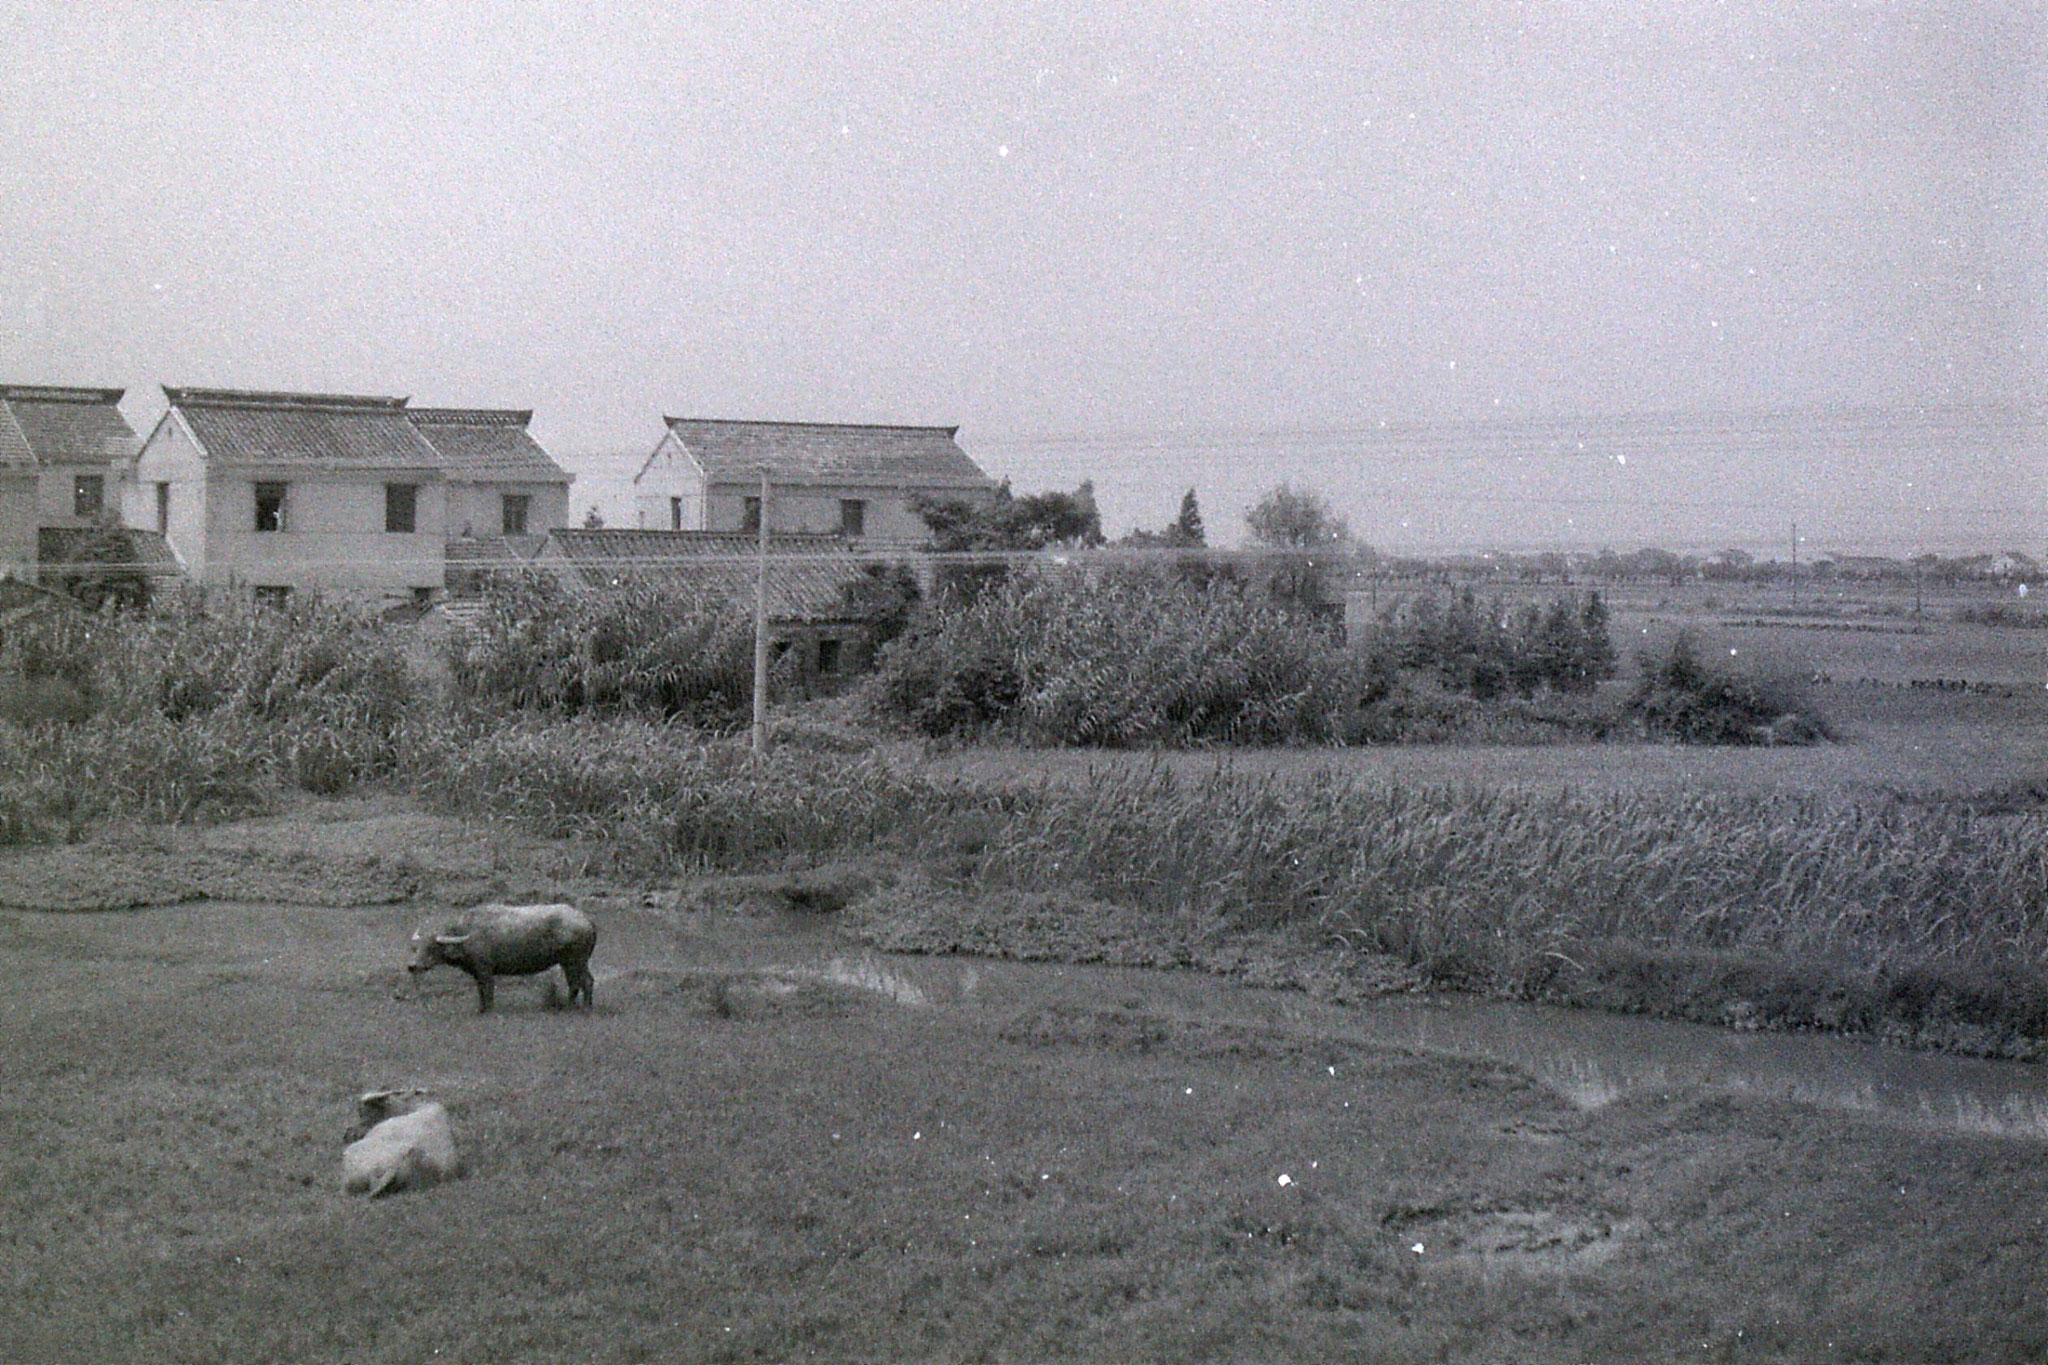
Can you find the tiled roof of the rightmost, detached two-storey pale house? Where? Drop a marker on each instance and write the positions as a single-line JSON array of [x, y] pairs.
[[914, 457]]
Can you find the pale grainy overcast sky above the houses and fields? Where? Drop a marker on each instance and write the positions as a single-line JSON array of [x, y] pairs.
[[1144, 222]]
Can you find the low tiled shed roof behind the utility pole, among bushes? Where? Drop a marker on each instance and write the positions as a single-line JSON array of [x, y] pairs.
[[808, 576]]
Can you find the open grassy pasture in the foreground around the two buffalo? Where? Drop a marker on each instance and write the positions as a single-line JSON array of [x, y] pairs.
[[775, 1143]]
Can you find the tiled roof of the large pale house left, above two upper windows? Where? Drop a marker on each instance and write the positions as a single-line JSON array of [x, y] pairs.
[[337, 431]]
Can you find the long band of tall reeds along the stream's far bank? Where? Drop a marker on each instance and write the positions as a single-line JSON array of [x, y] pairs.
[[1490, 887]]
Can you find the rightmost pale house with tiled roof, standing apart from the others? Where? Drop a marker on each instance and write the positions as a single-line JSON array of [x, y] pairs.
[[853, 482]]
